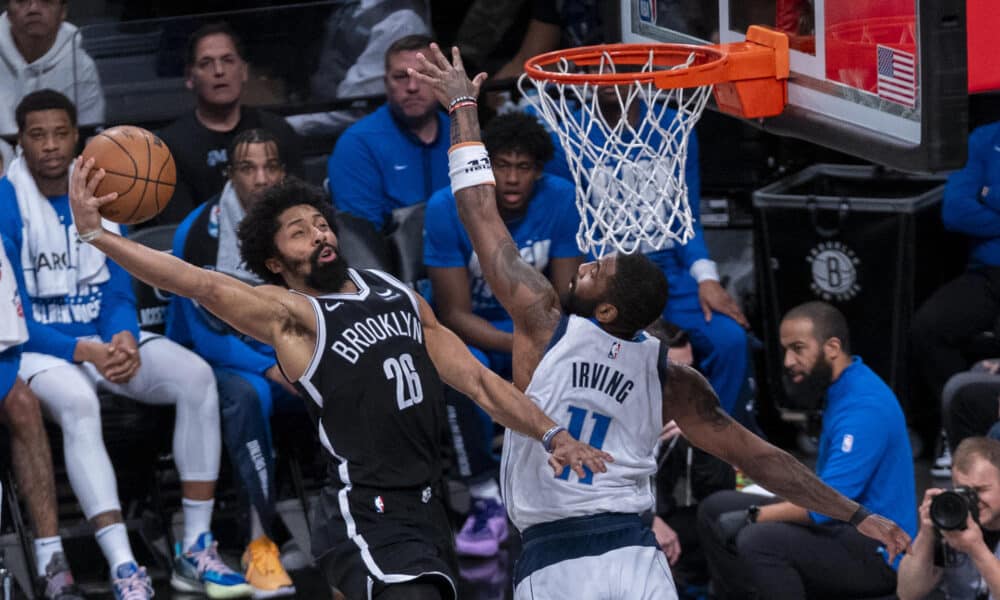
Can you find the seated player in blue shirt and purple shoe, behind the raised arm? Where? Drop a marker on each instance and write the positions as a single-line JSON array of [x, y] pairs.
[[540, 213]]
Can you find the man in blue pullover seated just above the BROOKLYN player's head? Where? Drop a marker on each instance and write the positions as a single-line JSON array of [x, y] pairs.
[[398, 155]]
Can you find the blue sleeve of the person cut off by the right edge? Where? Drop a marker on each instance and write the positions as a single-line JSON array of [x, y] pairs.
[[965, 209]]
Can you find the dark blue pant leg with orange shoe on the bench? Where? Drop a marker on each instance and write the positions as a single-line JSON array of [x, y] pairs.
[[246, 403]]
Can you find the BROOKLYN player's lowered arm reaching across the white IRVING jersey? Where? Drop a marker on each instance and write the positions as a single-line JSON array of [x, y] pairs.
[[501, 400]]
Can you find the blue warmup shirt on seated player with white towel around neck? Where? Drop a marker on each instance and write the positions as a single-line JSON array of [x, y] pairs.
[[54, 324]]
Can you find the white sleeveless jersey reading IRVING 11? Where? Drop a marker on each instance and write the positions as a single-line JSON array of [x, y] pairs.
[[607, 392]]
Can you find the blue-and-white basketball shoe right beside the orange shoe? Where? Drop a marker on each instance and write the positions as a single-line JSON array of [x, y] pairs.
[[200, 569]]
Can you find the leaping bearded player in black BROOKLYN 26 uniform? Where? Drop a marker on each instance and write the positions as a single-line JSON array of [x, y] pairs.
[[365, 352]]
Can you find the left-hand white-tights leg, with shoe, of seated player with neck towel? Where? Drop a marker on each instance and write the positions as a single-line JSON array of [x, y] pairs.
[[69, 397]]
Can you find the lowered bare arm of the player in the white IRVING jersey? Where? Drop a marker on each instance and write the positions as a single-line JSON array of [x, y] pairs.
[[689, 400]]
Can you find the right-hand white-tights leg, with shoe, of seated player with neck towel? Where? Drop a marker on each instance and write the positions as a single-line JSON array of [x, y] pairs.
[[172, 374]]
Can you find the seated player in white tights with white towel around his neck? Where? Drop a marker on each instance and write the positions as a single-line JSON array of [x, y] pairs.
[[84, 336]]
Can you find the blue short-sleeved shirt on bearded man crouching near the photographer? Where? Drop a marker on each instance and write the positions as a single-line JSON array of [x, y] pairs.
[[864, 450]]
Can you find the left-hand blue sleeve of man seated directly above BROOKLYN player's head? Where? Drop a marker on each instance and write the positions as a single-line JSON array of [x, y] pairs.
[[355, 183]]
